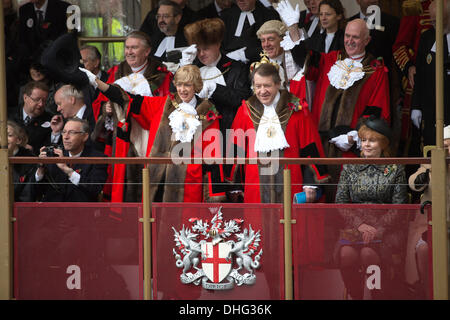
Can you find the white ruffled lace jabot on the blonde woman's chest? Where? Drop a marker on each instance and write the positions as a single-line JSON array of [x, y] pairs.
[[184, 121]]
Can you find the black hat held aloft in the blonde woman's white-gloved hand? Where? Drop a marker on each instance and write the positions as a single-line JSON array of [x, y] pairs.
[[62, 60]]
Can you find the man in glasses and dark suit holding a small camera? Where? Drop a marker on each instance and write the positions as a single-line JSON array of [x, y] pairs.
[[71, 183]]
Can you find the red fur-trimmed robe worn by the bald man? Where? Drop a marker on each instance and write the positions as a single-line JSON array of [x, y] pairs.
[[369, 95]]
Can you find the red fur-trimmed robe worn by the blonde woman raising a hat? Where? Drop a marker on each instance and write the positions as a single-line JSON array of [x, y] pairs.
[[180, 182]]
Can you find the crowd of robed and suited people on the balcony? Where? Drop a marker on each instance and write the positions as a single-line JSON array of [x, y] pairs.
[[254, 78]]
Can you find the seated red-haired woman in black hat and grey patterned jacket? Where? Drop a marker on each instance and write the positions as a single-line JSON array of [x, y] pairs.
[[368, 237]]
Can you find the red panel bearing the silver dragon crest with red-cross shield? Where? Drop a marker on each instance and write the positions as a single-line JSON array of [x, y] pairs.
[[217, 251]]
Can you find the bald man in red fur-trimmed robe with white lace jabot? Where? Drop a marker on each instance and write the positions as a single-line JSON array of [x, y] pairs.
[[349, 85]]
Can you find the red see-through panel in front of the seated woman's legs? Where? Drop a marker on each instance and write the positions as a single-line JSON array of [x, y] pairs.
[[361, 252]]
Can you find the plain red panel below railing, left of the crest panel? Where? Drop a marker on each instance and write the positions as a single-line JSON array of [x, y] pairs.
[[77, 251]]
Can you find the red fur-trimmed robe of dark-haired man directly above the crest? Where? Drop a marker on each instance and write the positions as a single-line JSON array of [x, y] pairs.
[[301, 135]]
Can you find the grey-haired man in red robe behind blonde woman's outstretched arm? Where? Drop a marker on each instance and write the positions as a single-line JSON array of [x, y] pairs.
[[131, 142]]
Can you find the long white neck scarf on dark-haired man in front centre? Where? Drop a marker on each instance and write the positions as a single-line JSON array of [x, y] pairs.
[[270, 136]]
